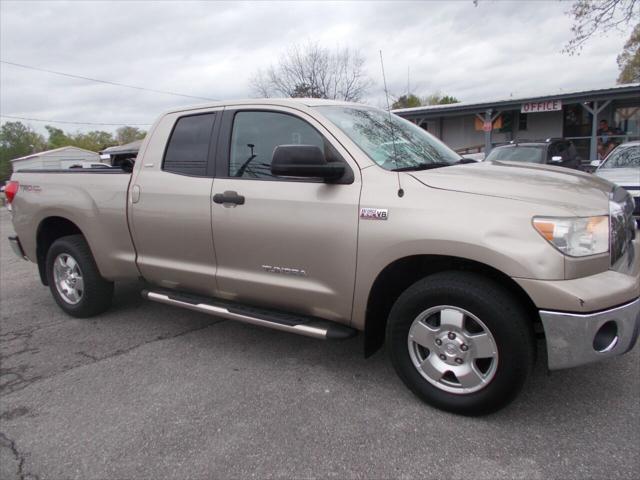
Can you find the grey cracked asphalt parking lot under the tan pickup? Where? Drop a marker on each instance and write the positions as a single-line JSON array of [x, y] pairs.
[[151, 391]]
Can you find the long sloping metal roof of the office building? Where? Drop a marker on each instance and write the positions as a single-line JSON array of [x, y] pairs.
[[630, 91]]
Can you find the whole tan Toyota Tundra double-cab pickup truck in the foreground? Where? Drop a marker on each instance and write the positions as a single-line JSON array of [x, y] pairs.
[[325, 219]]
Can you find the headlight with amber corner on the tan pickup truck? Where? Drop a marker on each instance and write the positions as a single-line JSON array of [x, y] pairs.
[[576, 237]]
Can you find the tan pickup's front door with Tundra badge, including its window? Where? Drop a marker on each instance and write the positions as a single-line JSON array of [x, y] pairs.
[[289, 243]]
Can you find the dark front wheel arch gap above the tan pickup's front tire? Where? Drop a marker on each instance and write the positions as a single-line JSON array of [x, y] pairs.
[[402, 273]]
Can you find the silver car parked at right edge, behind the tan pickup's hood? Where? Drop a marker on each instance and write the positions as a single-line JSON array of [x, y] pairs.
[[622, 167]]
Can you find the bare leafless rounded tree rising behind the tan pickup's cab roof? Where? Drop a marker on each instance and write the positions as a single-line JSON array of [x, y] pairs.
[[316, 72]]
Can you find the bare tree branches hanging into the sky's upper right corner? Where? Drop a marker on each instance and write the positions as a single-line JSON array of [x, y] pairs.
[[593, 17]]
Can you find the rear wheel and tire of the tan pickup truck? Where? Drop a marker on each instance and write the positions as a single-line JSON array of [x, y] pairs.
[[70, 268]]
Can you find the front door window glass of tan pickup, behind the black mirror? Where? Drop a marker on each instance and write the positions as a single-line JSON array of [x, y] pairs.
[[255, 135]]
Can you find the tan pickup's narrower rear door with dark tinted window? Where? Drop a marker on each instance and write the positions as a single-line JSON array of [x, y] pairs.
[[170, 203]]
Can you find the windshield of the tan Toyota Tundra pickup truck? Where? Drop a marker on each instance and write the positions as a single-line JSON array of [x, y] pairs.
[[390, 141]]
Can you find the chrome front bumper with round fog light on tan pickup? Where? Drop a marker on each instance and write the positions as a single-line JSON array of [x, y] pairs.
[[575, 339]]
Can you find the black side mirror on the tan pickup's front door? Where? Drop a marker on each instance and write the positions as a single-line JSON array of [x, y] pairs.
[[304, 161]]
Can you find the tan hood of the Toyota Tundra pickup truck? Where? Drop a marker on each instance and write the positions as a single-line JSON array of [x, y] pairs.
[[580, 193]]
